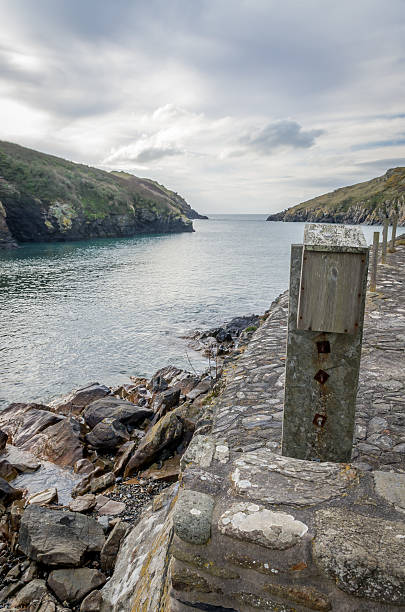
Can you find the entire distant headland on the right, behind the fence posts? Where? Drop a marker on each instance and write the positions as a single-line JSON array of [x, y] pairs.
[[367, 203]]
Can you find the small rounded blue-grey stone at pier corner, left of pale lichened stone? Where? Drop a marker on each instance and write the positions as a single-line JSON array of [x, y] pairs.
[[193, 516]]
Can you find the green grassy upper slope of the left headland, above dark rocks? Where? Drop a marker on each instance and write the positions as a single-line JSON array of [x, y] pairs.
[[94, 192]]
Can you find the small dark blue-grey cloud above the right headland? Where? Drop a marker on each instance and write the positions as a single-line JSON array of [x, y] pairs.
[[281, 134]]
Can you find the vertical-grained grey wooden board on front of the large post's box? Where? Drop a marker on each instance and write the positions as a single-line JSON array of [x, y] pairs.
[[331, 291]]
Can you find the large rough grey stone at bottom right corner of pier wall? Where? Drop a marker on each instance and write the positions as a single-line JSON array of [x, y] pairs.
[[363, 555]]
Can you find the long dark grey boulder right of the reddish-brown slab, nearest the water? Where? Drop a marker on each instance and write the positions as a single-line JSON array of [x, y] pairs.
[[116, 409]]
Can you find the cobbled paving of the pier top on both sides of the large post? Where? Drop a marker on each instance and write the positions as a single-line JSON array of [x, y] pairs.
[[249, 412]]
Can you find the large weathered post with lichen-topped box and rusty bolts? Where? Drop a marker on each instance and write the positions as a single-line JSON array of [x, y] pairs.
[[328, 284]]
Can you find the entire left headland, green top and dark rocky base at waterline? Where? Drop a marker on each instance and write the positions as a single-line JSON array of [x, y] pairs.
[[46, 198]]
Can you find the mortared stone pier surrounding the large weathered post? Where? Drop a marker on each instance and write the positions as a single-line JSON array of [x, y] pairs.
[[251, 530]]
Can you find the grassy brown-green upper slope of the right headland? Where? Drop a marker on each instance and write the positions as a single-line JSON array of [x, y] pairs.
[[370, 195]]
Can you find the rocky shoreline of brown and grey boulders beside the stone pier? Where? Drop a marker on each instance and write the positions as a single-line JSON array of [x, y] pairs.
[[77, 474]]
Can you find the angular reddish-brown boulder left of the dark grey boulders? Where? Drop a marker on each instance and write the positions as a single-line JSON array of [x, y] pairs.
[[59, 443]]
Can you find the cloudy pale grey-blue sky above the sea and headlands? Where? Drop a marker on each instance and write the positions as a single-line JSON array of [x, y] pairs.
[[241, 106]]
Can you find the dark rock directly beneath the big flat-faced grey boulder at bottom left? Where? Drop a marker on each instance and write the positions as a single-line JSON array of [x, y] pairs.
[[72, 585]]
